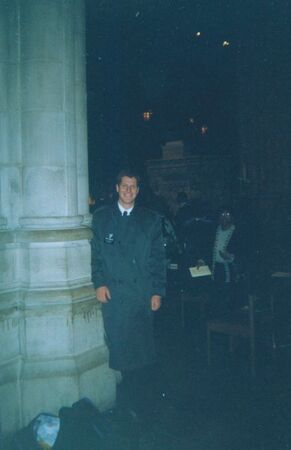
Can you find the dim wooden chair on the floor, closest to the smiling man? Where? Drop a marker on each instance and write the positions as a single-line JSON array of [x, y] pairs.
[[241, 324]]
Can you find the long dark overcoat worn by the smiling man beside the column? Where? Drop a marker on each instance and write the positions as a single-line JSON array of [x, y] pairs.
[[128, 257]]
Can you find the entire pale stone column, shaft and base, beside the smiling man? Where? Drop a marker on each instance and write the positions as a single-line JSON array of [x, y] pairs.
[[52, 349]]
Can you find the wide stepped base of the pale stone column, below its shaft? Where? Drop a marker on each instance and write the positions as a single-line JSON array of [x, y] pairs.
[[51, 330]]
